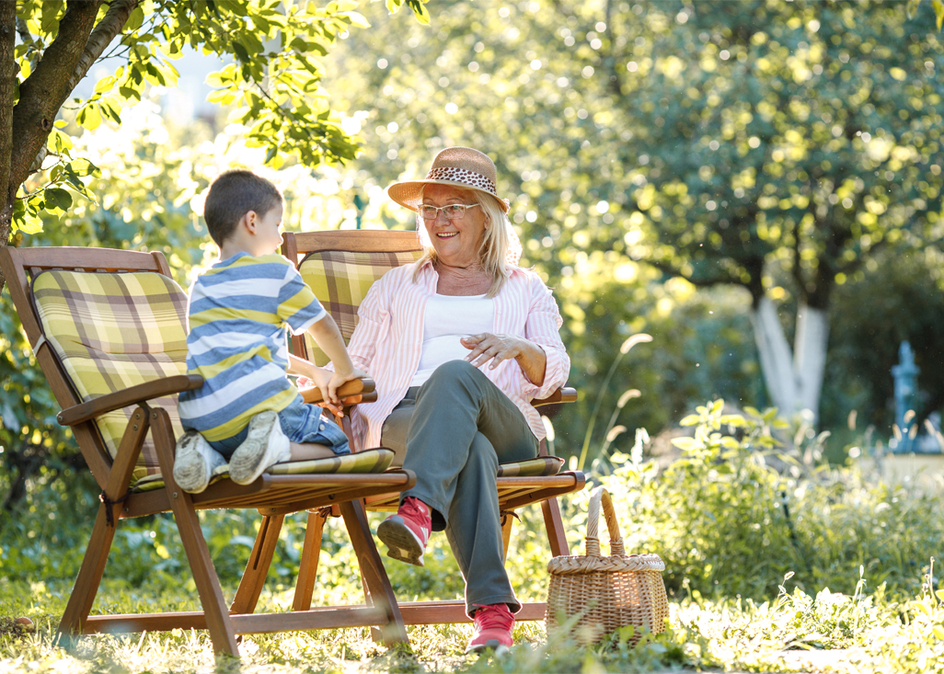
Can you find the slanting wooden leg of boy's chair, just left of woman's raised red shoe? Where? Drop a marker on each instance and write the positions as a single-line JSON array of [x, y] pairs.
[[373, 573]]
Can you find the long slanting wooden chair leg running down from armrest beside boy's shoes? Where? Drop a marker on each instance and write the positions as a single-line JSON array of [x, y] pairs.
[[188, 524]]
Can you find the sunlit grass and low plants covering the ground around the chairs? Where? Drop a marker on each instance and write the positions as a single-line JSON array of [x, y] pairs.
[[803, 568]]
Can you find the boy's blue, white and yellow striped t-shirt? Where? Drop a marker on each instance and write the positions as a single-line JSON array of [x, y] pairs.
[[240, 312]]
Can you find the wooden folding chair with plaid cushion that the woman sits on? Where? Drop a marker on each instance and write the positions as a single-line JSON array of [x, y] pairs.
[[340, 266]]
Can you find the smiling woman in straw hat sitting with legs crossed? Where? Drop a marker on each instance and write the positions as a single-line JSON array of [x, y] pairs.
[[458, 344]]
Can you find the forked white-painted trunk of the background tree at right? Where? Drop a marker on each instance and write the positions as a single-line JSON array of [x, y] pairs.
[[794, 378]]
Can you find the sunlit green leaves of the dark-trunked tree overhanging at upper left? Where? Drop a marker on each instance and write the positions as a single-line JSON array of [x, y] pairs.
[[272, 54]]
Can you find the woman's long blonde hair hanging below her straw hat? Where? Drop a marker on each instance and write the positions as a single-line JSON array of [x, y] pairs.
[[497, 243]]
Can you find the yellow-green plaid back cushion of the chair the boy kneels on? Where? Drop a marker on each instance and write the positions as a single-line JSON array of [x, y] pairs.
[[112, 331]]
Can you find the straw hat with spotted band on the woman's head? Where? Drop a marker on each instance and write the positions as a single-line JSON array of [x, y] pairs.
[[459, 166]]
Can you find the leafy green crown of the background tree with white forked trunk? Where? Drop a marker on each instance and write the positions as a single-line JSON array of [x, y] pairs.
[[797, 133]]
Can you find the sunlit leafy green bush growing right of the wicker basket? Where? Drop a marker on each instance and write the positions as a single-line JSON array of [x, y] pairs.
[[736, 513]]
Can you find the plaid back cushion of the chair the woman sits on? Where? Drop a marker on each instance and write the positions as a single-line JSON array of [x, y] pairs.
[[340, 280]]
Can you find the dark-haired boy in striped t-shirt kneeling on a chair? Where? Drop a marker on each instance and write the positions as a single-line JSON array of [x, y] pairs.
[[248, 411]]
